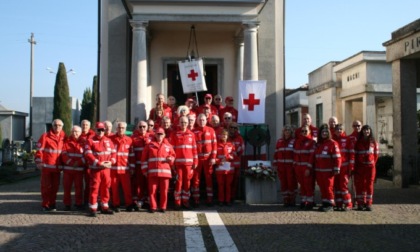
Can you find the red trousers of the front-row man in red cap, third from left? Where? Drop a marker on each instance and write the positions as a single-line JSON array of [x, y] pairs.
[[100, 182]]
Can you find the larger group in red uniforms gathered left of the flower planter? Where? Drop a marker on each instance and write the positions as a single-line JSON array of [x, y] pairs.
[[99, 162]]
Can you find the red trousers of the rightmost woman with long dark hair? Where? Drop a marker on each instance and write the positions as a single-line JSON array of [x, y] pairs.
[[364, 177]]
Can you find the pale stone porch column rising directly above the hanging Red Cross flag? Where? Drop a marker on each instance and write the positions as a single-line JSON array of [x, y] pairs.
[[250, 51]]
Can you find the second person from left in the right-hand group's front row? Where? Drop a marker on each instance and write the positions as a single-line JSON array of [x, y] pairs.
[[303, 150]]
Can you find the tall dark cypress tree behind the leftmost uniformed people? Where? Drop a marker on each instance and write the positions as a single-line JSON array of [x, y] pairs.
[[62, 102]]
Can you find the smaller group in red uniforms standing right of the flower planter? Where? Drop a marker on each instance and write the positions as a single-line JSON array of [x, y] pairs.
[[328, 157]]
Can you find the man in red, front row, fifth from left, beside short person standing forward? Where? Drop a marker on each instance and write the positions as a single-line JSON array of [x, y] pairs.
[[139, 182]]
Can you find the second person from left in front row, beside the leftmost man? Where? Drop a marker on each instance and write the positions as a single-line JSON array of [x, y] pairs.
[[73, 166]]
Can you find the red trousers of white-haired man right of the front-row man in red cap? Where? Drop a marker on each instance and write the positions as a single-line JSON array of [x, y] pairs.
[[123, 179]]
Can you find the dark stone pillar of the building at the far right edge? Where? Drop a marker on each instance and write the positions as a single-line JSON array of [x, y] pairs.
[[404, 122]]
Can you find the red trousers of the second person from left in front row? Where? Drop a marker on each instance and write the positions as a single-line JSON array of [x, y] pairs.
[[71, 177]]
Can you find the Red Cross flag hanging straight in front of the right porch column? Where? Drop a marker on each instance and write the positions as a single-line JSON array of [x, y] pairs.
[[251, 102]]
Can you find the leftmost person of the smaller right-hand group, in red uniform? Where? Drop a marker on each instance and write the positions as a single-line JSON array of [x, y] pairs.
[[283, 159]]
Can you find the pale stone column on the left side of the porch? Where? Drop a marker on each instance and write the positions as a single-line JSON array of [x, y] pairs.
[[138, 71]]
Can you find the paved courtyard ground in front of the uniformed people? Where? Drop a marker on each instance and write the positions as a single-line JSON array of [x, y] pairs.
[[393, 225]]
